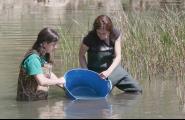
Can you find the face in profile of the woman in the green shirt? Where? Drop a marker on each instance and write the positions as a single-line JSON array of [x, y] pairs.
[[50, 47]]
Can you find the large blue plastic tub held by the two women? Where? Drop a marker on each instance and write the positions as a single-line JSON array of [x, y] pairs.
[[85, 84]]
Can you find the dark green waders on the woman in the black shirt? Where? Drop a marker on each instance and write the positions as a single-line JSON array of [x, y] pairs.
[[100, 61]]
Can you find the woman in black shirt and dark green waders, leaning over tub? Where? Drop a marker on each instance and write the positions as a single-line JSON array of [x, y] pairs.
[[103, 47]]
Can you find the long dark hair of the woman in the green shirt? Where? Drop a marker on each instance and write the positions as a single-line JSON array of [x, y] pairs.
[[45, 35]]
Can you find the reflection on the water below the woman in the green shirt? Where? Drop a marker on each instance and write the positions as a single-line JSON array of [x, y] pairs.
[[41, 109]]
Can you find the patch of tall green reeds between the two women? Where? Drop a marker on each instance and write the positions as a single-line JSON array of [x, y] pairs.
[[71, 36]]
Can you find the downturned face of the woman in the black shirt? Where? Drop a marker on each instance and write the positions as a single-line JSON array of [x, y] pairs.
[[102, 34]]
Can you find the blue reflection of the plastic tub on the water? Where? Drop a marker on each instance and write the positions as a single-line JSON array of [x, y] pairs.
[[88, 109]]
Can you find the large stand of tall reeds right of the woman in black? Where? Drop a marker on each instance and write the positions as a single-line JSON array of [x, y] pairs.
[[154, 45]]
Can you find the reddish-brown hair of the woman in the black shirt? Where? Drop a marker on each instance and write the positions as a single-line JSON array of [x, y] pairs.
[[104, 22]]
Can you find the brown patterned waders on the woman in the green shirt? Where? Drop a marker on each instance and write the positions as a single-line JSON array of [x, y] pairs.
[[27, 87]]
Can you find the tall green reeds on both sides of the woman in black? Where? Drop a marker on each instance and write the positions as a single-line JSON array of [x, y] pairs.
[[153, 42]]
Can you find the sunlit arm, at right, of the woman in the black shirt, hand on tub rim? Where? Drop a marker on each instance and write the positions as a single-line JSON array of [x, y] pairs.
[[116, 61]]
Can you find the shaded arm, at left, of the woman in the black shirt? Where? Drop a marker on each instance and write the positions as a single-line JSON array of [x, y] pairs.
[[82, 58]]
